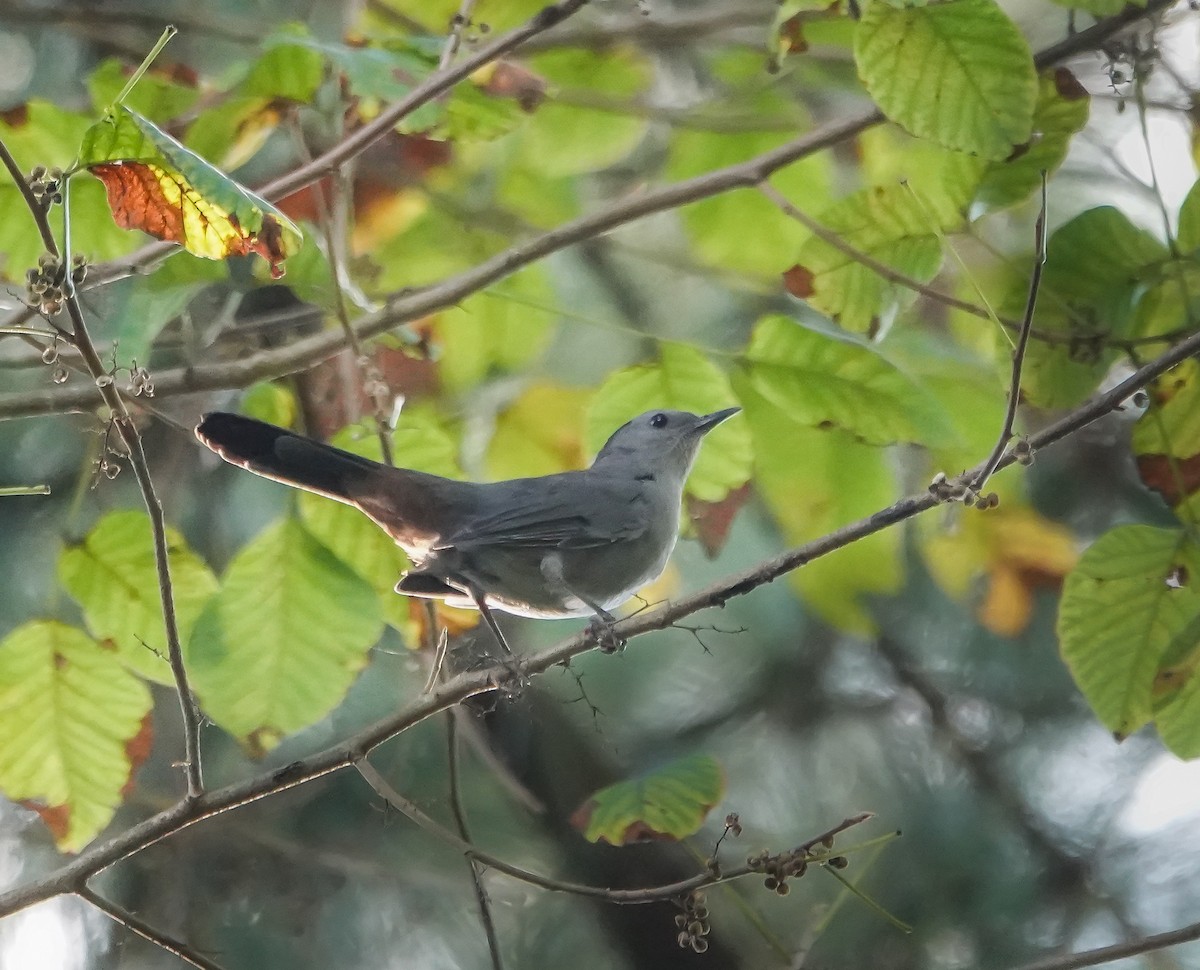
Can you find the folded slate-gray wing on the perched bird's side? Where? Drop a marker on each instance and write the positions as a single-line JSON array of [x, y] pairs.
[[577, 513]]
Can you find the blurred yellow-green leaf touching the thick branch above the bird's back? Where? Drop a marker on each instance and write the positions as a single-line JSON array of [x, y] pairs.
[[503, 328]]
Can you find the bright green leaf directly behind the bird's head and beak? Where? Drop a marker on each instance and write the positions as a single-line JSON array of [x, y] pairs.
[[686, 380]]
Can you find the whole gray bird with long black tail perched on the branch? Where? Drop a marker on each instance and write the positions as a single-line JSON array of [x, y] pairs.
[[569, 544]]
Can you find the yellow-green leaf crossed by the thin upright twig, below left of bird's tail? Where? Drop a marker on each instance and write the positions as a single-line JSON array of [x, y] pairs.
[[113, 577]]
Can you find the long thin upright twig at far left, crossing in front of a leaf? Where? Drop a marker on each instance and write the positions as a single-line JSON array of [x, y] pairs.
[[131, 438]]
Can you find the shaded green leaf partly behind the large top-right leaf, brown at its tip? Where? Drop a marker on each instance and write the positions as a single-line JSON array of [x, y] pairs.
[[1061, 112]]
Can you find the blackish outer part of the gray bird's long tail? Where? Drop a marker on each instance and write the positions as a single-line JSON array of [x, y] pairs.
[[278, 454]]
